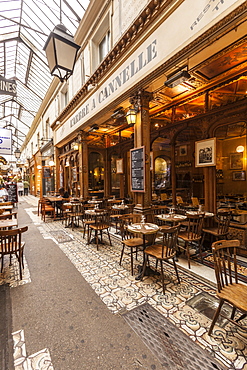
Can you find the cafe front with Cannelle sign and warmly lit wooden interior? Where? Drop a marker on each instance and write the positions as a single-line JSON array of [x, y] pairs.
[[189, 97]]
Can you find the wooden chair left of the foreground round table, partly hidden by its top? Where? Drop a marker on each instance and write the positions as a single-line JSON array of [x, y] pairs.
[[130, 241]]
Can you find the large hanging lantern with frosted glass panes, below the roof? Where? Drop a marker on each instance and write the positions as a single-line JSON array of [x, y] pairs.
[[61, 51]]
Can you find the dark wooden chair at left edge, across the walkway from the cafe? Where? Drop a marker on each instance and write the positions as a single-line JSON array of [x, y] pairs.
[[11, 243]]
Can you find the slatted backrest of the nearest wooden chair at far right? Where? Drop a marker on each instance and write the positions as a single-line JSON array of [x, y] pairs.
[[225, 262]]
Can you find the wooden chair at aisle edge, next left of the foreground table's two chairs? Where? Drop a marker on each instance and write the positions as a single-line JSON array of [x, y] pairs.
[[102, 223]]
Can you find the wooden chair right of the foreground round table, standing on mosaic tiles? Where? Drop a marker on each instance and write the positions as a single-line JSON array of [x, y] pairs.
[[164, 251]]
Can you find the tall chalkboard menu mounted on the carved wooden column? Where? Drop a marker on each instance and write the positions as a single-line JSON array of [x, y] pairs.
[[137, 167]]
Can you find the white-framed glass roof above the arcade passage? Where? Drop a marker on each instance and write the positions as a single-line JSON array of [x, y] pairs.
[[24, 29]]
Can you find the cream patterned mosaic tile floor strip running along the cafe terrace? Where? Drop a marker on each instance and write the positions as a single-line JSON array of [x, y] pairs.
[[120, 292]]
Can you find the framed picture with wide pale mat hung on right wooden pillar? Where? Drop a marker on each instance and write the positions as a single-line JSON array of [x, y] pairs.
[[205, 153]]
